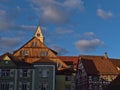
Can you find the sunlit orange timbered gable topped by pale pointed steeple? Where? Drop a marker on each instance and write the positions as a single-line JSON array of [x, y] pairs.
[[35, 50]]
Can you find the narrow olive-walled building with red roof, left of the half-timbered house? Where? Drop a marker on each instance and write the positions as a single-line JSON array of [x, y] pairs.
[[65, 79]]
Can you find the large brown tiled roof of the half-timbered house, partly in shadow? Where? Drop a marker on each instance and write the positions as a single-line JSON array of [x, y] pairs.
[[98, 65]]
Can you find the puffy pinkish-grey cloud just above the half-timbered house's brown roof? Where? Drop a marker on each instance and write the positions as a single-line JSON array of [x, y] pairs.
[[89, 43]]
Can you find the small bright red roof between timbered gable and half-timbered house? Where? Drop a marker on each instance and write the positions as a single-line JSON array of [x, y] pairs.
[[73, 59]]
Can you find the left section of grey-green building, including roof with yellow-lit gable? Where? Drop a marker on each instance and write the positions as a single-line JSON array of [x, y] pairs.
[[15, 74]]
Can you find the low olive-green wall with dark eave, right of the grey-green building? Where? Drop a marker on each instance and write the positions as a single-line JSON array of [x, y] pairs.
[[65, 79]]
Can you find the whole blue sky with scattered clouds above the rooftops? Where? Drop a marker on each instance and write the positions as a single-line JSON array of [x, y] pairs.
[[70, 27]]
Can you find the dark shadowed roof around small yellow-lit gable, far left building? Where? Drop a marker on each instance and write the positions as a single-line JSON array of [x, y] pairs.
[[16, 61]]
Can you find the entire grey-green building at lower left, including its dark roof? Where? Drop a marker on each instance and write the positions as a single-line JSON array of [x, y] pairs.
[[18, 75]]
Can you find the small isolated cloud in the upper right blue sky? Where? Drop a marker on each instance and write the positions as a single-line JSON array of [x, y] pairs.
[[104, 14]]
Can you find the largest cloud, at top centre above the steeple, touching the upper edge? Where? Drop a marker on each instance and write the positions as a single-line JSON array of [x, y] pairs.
[[54, 11]]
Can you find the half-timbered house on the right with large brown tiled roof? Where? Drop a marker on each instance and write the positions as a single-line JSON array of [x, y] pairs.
[[95, 72]]
